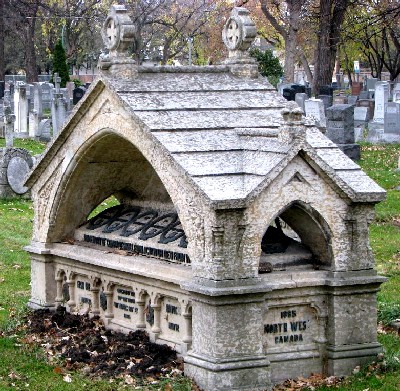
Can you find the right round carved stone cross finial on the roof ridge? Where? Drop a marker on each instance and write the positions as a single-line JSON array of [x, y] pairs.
[[239, 31]]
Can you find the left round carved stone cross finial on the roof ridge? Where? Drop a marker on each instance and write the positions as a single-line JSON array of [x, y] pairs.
[[118, 30]]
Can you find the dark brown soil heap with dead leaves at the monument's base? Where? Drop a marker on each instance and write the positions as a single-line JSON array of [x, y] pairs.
[[84, 344]]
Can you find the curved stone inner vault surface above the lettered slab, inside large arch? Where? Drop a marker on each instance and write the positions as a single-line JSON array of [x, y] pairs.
[[105, 165]]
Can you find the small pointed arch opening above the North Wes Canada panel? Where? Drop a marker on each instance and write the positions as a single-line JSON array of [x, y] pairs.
[[297, 239]]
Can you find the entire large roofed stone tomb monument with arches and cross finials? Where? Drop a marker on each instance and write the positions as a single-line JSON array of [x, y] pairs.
[[200, 252]]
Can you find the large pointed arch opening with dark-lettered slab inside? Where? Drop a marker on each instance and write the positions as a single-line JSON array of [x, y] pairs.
[[142, 217]]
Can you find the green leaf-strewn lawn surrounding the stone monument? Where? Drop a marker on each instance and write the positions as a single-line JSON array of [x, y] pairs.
[[24, 366]]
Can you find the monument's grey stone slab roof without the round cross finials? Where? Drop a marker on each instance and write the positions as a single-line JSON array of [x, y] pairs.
[[223, 130]]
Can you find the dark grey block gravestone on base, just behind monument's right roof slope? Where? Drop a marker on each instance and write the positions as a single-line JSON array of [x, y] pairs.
[[340, 129]]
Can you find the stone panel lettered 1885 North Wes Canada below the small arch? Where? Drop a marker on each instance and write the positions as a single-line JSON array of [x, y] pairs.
[[286, 328]]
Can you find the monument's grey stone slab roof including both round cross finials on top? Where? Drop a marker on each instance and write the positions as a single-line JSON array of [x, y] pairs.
[[223, 125]]
